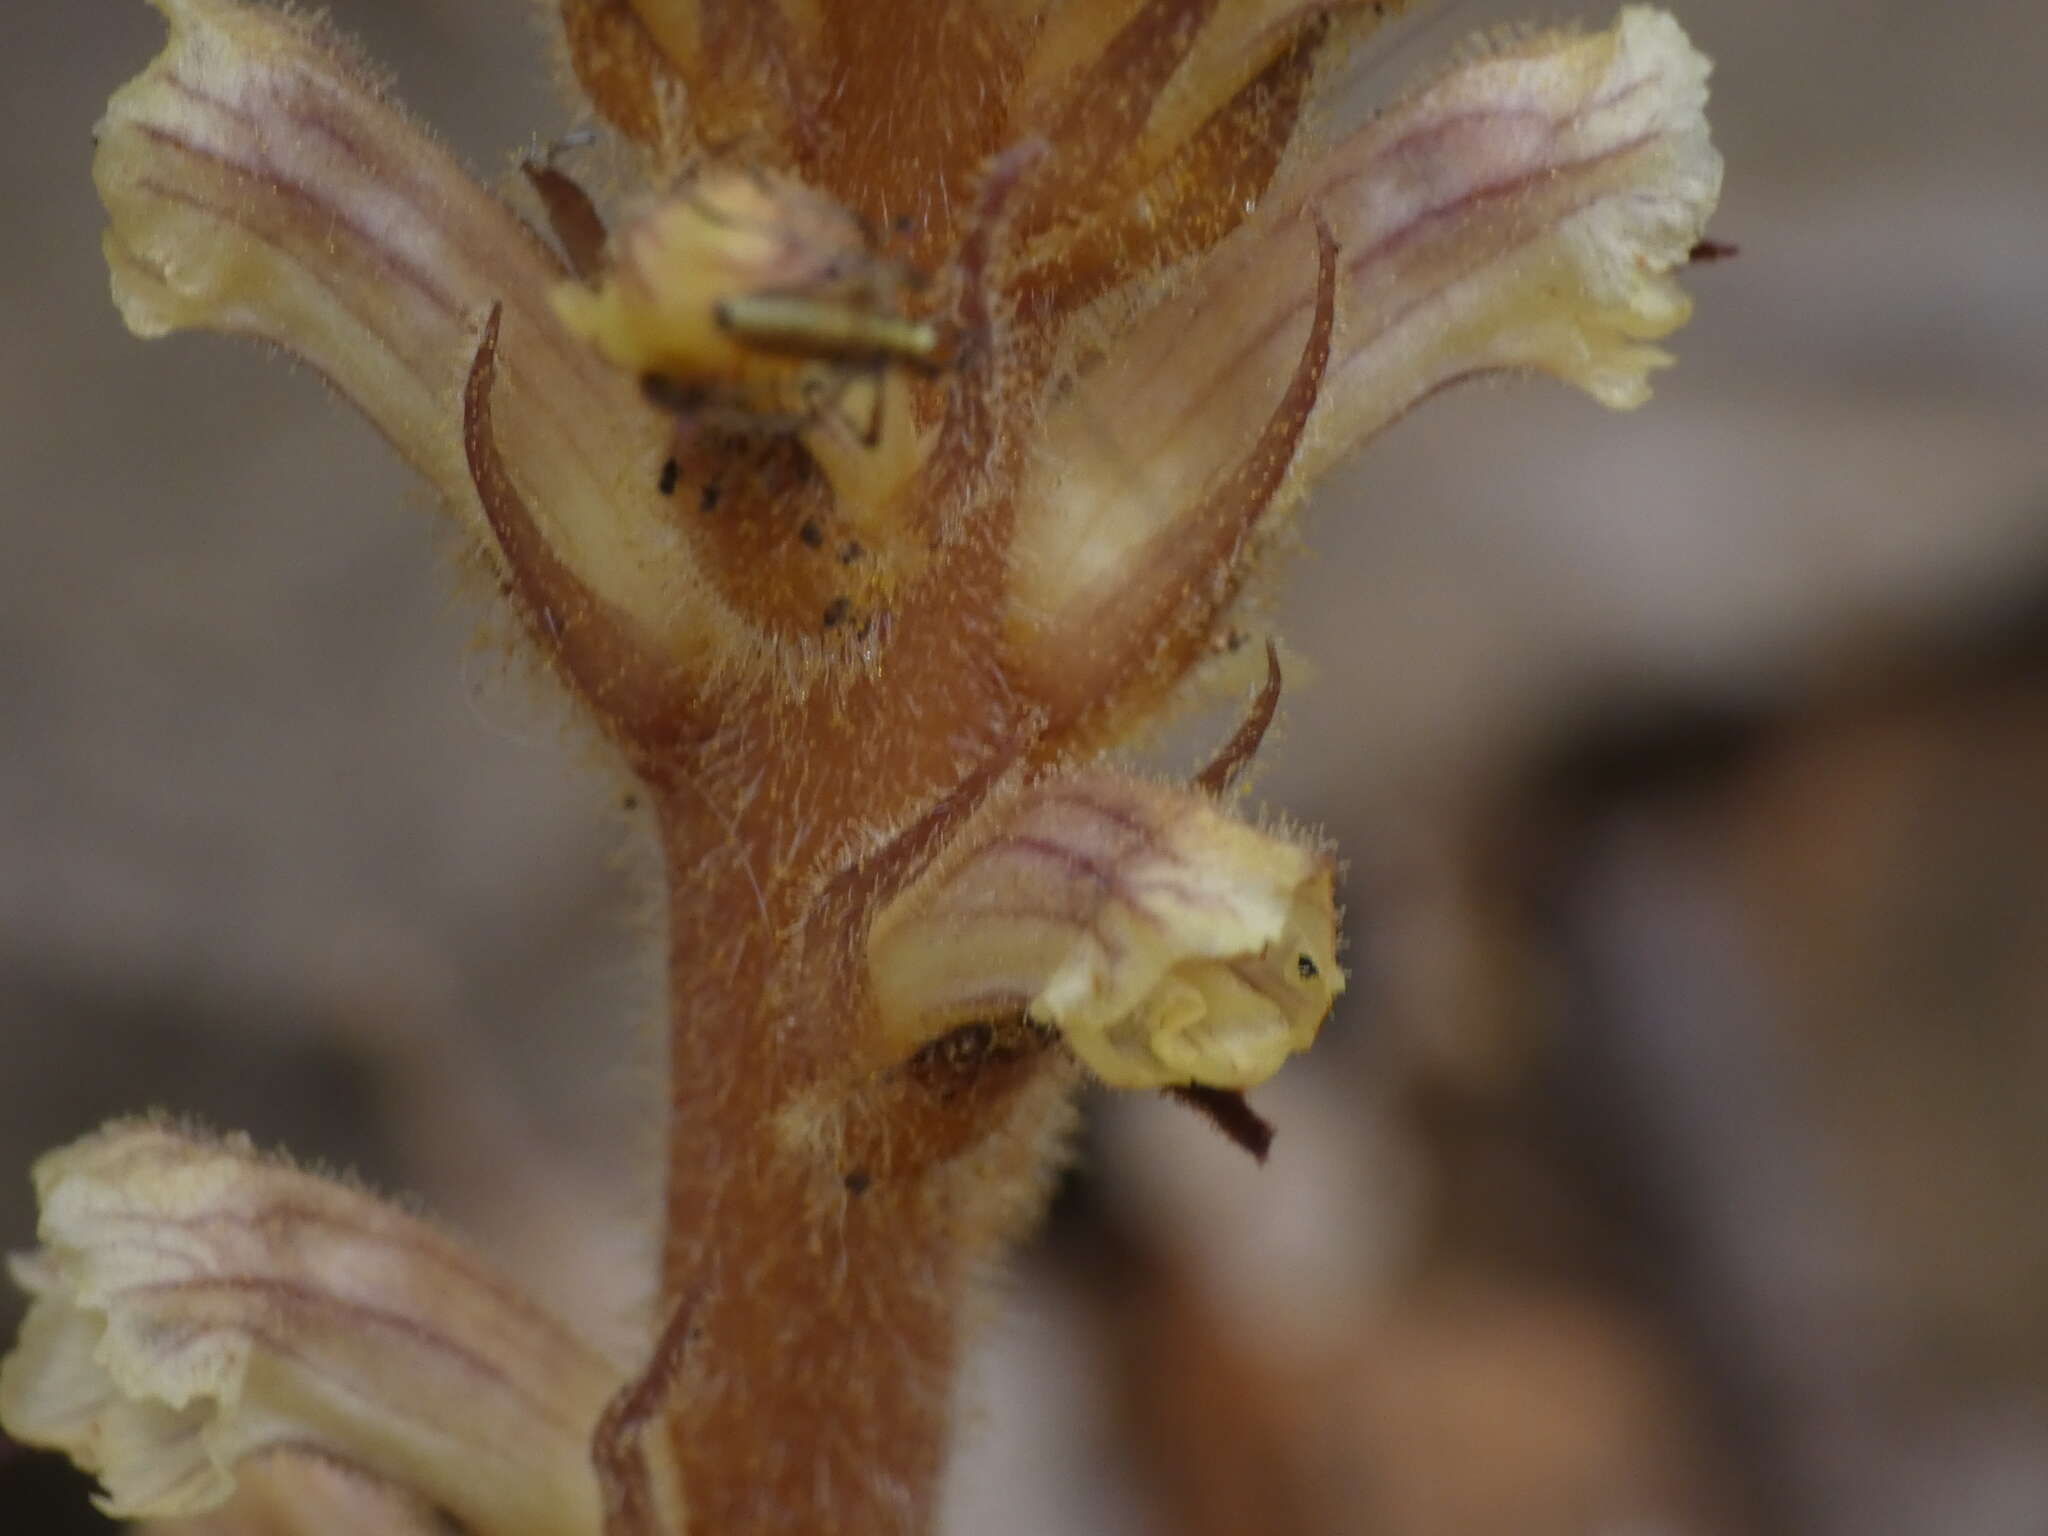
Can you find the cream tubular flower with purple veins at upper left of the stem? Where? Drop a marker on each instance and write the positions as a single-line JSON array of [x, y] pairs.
[[259, 183]]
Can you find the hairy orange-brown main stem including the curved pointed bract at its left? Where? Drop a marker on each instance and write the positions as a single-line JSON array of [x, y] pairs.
[[824, 1211]]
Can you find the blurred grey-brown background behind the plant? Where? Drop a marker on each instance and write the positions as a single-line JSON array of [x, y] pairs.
[[1678, 1160]]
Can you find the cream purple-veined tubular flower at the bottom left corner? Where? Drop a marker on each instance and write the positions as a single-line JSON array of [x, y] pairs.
[[198, 1306]]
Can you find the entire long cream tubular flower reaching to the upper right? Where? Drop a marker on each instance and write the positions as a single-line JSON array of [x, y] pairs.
[[1525, 212]]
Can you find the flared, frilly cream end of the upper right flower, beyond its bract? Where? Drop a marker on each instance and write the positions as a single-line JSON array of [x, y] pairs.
[[1578, 171]]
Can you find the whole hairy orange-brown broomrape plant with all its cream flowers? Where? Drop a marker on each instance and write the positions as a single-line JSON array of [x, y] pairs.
[[906, 445]]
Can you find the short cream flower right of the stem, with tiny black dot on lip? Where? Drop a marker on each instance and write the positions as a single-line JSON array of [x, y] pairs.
[[1164, 941]]
